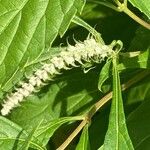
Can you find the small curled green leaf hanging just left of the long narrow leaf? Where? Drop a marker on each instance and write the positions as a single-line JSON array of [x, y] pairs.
[[104, 74]]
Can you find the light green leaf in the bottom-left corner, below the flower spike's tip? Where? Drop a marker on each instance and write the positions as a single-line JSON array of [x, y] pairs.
[[13, 137]]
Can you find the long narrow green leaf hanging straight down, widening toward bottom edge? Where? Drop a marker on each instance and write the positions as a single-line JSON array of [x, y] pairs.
[[117, 135]]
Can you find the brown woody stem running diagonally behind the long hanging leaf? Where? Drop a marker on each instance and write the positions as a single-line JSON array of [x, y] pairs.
[[99, 104]]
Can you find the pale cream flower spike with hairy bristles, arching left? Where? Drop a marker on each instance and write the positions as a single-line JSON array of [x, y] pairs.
[[74, 56]]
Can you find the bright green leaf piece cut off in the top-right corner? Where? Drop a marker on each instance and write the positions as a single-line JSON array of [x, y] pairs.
[[143, 6]]
